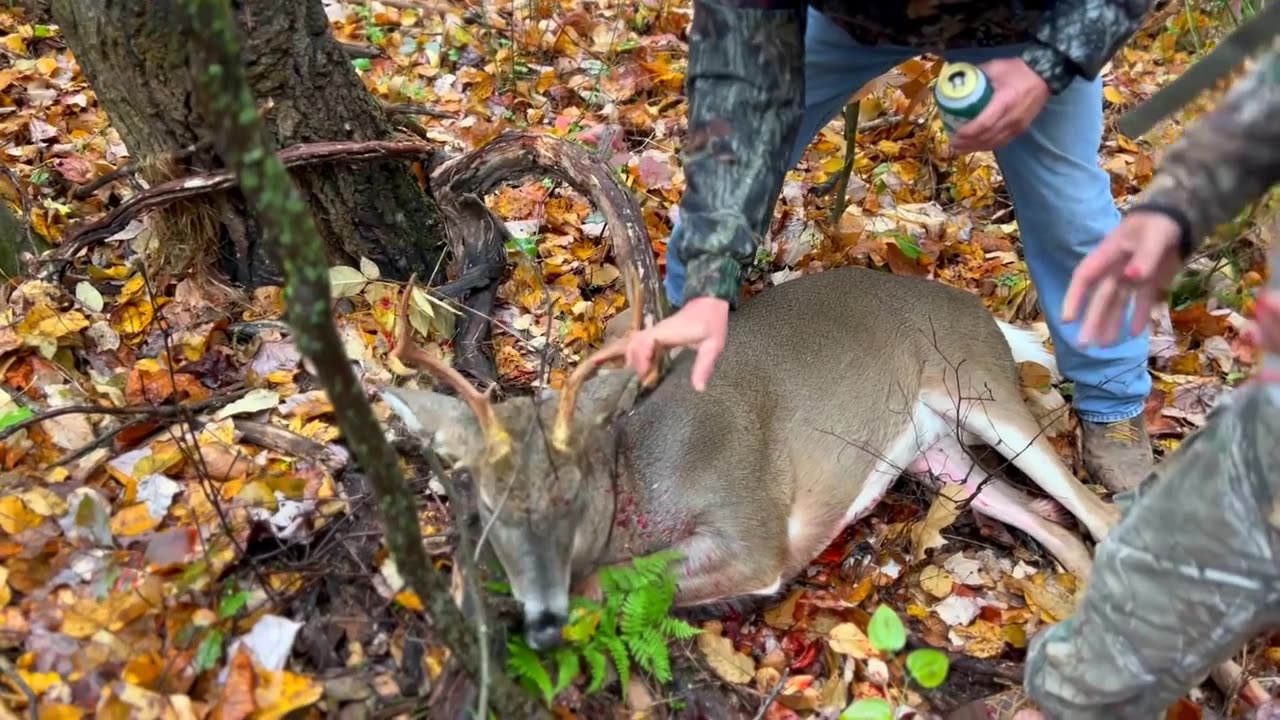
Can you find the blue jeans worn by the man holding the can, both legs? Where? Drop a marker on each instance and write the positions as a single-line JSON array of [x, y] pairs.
[[1062, 197]]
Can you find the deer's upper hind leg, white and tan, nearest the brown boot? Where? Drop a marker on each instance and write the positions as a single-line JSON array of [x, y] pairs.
[[1012, 431]]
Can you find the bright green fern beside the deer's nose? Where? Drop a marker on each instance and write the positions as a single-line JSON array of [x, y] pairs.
[[632, 626]]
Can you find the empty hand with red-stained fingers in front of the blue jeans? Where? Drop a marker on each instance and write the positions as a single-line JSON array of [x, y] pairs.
[[1137, 261]]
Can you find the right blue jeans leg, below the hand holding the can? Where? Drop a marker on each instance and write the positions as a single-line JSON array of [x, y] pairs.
[[1064, 206]]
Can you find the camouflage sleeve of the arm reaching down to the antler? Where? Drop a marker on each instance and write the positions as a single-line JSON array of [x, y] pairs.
[[746, 85]]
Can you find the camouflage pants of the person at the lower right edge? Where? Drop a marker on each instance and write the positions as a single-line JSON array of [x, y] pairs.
[[1187, 578]]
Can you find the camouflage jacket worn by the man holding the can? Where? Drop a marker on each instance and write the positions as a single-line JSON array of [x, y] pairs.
[[746, 85]]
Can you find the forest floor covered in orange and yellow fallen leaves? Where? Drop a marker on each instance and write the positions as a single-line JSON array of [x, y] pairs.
[[130, 578]]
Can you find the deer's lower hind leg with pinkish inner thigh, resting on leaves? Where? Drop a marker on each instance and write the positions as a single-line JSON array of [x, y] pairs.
[[949, 462]]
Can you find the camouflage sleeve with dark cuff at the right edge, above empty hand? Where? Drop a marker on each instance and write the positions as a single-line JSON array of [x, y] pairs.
[[1226, 161]]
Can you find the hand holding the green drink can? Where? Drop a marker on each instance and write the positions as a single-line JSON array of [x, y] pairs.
[[1018, 95]]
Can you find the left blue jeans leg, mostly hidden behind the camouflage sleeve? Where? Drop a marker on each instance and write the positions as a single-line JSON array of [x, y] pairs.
[[835, 67]]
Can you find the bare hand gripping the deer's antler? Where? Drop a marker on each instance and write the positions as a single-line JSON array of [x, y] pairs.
[[701, 325]]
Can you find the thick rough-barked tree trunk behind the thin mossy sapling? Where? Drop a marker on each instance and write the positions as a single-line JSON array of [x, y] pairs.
[[307, 92]]
